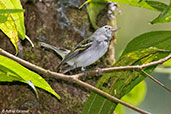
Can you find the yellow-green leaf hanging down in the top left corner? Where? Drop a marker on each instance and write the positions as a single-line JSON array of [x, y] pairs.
[[12, 20]]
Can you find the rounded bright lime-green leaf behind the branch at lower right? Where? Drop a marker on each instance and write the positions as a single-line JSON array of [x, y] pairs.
[[134, 97]]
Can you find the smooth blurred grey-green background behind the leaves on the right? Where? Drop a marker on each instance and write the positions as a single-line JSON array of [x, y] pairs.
[[134, 21]]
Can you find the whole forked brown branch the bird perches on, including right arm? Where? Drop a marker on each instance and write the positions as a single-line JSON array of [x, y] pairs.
[[74, 78]]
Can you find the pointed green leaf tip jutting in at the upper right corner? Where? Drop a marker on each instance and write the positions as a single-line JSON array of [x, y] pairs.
[[165, 16]]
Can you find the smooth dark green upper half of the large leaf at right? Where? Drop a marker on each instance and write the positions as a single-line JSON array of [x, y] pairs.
[[158, 39]]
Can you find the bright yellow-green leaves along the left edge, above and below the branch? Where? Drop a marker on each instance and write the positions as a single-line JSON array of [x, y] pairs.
[[12, 24]]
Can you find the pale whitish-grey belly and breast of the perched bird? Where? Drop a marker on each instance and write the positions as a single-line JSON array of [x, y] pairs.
[[91, 55]]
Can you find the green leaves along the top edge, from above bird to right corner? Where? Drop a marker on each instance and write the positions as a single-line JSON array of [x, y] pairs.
[[95, 6]]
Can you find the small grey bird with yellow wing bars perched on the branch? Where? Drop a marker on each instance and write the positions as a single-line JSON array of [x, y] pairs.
[[89, 50]]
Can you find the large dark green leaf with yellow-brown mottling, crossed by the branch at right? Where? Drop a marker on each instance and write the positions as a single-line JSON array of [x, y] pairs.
[[119, 83]]
